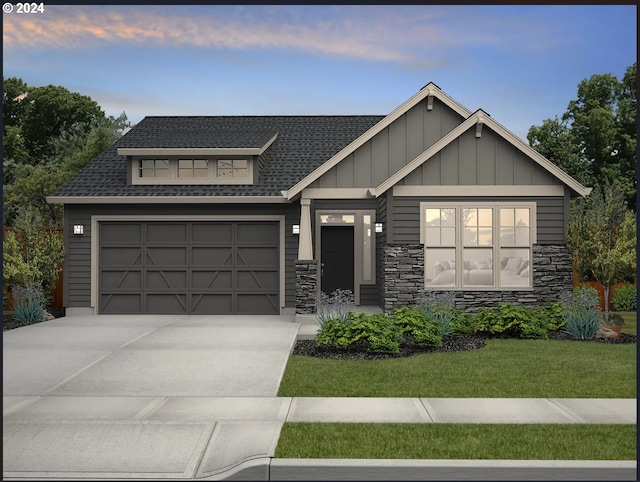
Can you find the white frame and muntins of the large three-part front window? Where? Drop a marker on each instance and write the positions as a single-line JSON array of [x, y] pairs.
[[496, 247]]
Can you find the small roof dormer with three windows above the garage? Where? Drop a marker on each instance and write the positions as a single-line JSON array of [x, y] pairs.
[[238, 163]]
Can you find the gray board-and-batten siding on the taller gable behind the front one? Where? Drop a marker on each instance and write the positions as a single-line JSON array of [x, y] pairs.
[[392, 148]]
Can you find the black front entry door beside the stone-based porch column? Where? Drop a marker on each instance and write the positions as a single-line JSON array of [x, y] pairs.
[[337, 258]]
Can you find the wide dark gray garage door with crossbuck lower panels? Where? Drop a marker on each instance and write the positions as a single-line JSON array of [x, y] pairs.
[[189, 267]]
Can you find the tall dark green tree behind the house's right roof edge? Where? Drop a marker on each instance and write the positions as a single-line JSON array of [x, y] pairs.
[[595, 139]]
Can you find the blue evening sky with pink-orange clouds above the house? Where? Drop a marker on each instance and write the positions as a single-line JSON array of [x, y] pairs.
[[521, 63]]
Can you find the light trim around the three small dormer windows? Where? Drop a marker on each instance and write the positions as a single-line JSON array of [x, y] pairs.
[[174, 179]]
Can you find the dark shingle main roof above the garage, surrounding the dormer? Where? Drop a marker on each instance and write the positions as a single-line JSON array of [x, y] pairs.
[[303, 144]]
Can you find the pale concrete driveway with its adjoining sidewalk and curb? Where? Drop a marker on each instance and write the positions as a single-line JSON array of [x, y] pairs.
[[195, 398]]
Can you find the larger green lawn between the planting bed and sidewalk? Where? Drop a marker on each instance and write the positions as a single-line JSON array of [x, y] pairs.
[[502, 369]]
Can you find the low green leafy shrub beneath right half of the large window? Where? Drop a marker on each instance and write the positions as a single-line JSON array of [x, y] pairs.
[[511, 320]]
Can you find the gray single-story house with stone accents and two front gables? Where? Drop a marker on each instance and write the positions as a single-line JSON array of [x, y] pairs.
[[257, 214]]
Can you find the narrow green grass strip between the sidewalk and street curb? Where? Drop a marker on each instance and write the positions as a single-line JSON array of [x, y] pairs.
[[457, 441]]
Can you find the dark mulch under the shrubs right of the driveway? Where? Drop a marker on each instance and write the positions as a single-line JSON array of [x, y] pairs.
[[449, 344]]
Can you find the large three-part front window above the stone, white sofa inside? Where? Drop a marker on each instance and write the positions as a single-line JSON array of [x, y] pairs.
[[479, 246]]
